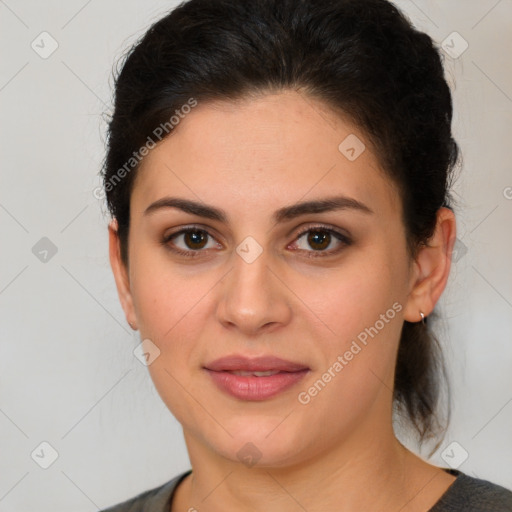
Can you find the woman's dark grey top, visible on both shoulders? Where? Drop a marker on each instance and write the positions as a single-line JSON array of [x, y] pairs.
[[465, 494]]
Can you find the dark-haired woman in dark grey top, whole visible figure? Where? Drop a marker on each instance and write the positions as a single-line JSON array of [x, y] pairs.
[[278, 176]]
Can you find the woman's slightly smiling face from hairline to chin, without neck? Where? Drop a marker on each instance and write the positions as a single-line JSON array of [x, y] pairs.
[[259, 283]]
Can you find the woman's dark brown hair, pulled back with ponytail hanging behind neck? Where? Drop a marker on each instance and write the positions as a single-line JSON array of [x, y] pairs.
[[362, 58]]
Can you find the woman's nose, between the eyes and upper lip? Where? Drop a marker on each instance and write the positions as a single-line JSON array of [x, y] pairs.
[[252, 298]]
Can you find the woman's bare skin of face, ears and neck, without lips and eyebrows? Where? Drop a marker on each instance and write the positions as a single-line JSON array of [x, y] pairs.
[[338, 451]]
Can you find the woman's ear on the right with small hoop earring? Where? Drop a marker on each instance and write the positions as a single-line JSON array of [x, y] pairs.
[[431, 268]]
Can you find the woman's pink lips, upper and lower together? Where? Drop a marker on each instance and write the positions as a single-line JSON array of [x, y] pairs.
[[252, 387]]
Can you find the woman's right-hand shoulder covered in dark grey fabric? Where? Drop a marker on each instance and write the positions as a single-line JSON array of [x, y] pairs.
[[470, 494]]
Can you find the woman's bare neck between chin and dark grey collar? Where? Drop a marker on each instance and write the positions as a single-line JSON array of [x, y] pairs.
[[369, 470]]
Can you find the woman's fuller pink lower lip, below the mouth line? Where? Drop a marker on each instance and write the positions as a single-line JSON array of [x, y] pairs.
[[255, 388]]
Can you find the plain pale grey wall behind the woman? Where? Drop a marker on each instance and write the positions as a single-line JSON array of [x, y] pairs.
[[68, 376]]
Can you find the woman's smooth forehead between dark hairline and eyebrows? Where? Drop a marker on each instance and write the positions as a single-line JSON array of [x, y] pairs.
[[272, 150]]
